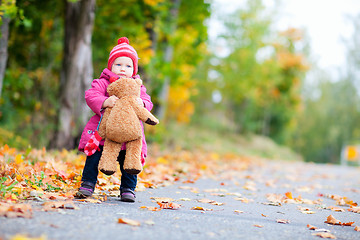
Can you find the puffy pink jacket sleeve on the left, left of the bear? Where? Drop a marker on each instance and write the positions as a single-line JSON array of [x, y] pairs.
[[96, 95]]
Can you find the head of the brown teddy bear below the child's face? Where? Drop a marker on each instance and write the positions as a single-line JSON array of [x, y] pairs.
[[125, 87]]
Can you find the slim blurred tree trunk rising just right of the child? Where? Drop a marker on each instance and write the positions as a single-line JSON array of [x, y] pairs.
[[164, 94]]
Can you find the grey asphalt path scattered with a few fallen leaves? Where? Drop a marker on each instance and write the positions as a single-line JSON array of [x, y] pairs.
[[243, 210]]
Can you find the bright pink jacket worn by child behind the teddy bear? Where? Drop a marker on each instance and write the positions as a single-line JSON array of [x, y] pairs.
[[95, 96]]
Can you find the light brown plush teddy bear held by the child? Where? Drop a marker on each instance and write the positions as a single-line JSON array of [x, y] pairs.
[[120, 124]]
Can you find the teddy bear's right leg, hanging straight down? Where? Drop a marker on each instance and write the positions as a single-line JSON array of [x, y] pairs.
[[132, 162]]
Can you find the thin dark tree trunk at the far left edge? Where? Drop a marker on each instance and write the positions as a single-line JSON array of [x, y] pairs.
[[3, 47]]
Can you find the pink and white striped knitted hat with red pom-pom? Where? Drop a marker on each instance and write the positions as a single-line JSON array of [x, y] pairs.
[[123, 49]]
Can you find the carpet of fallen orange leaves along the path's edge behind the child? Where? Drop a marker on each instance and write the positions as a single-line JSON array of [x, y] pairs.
[[56, 175]]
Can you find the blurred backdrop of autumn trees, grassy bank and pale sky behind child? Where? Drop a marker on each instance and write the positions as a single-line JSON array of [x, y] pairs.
[[277, 79]]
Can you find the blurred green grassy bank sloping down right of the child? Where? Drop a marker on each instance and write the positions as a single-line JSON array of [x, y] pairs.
[[223, 140]]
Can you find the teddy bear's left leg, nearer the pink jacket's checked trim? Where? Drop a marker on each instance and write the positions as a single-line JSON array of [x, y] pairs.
[[108, 163]]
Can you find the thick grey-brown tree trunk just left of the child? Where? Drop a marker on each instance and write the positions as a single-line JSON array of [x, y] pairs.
[[77, 72]]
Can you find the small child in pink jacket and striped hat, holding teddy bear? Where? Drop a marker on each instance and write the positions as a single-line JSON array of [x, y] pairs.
[[122, 62]]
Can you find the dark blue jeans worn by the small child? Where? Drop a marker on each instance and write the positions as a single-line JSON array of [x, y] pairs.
[[91, 170]]
